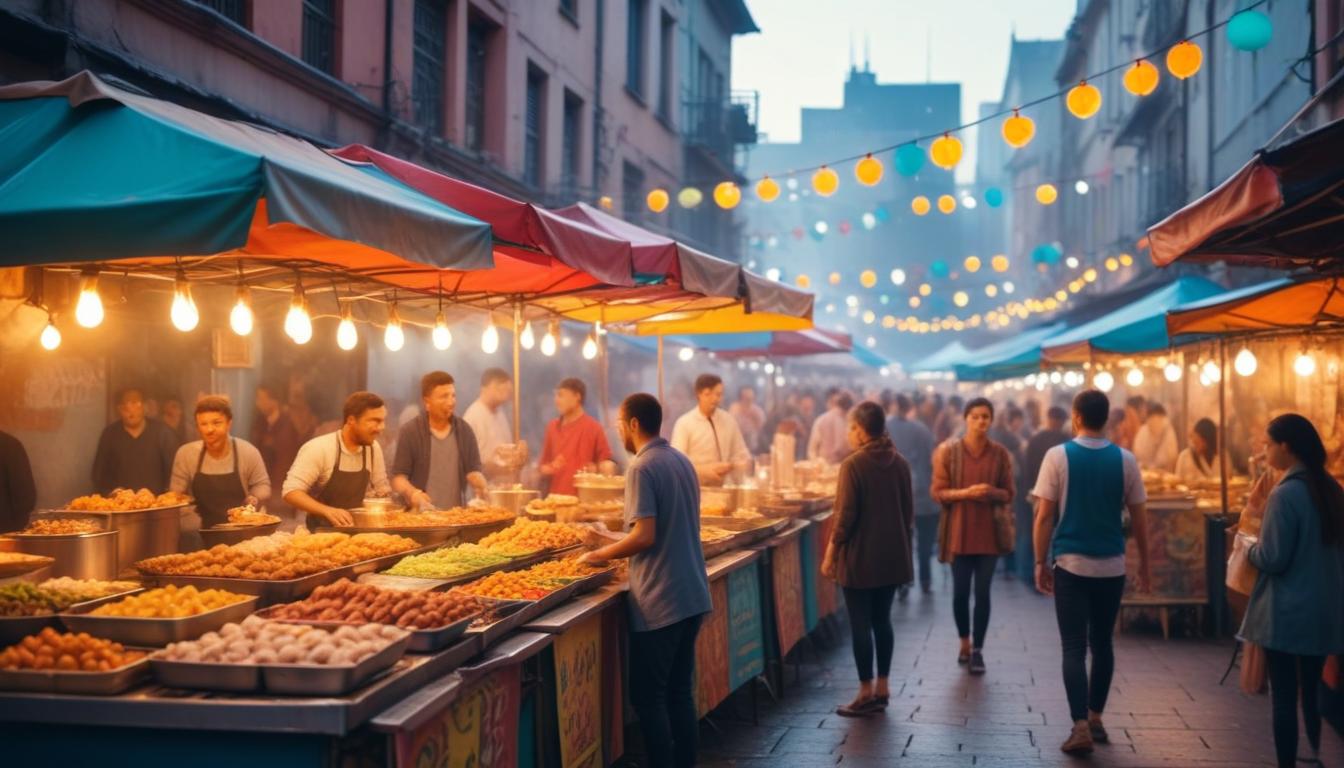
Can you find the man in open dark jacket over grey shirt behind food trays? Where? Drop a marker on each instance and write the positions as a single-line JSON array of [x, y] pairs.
[[437, 455]]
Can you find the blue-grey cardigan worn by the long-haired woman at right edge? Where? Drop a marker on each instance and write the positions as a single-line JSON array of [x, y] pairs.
[[1298, 606]]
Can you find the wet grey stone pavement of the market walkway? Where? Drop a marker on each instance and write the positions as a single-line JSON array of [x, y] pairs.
[[1166, 708]]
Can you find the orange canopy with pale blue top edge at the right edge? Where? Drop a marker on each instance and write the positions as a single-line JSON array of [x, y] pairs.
[[1284, 305]]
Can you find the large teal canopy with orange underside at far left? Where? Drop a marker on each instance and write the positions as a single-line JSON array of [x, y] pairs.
[[91, 171]]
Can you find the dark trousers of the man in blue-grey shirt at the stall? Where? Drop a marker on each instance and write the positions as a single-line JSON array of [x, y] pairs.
[[663, 692]]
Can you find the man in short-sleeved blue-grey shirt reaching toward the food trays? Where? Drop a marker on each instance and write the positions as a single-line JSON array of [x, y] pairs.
[[670, 590]]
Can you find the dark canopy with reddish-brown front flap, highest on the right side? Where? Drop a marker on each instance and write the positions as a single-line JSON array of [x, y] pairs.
[[1284, 209]]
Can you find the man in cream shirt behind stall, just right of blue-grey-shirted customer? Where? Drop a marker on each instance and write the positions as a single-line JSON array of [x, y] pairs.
[[709, 436]]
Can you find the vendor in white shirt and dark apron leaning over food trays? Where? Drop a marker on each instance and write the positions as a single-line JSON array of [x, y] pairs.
[[334, 473]]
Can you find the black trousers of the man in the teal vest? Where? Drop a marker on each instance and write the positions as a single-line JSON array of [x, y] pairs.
[[1087, 610]]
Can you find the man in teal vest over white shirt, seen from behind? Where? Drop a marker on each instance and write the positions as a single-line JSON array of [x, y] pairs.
[[1081, 494]]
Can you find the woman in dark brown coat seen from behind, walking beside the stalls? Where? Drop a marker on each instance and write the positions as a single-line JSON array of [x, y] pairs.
[[870, 549]]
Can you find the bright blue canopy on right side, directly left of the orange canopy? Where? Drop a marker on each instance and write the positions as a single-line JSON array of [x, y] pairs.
[[1134, 329]]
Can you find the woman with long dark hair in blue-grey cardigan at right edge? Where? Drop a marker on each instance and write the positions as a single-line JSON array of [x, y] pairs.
[[1294, 611]]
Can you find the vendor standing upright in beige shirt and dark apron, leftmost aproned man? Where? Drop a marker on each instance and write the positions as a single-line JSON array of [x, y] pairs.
[[220, 471]]
